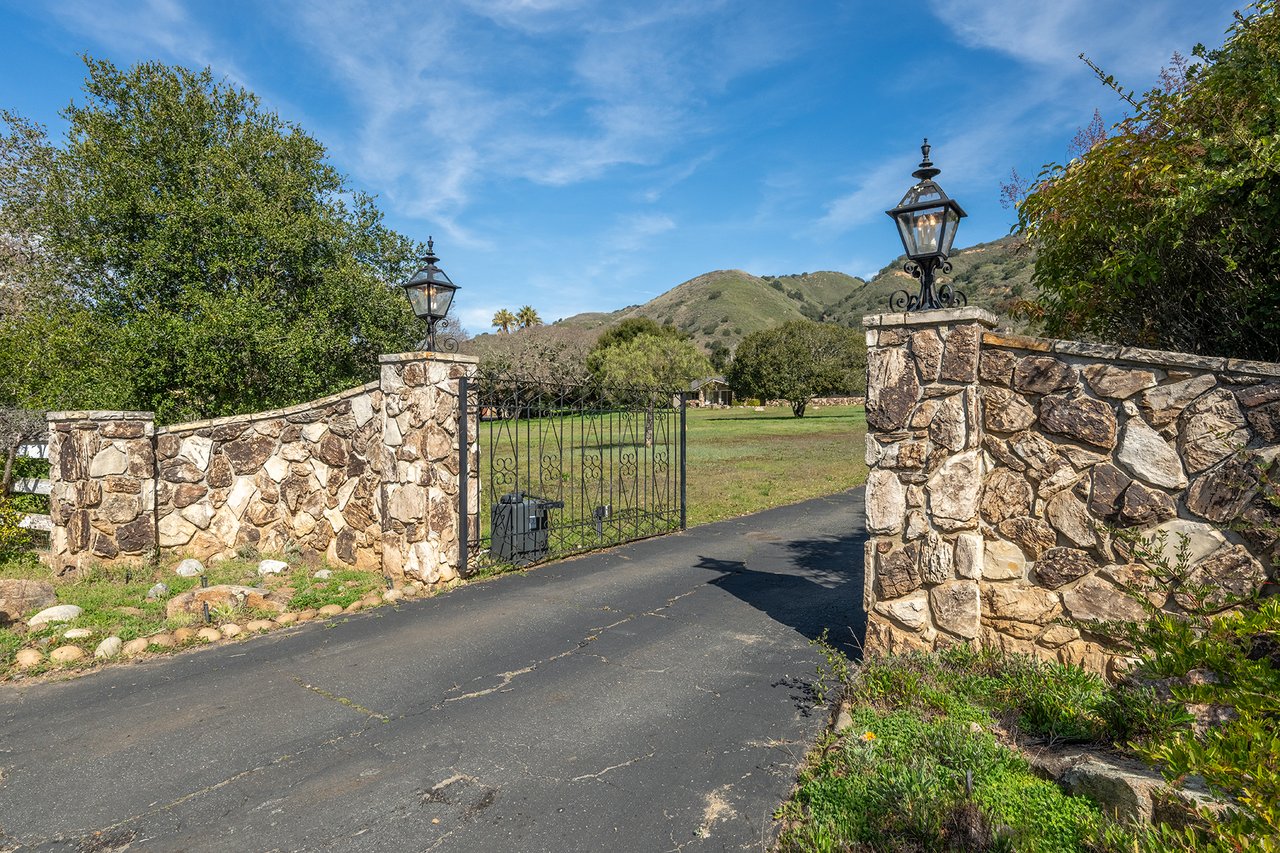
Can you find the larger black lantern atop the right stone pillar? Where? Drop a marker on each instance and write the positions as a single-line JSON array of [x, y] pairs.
[[927, 221]]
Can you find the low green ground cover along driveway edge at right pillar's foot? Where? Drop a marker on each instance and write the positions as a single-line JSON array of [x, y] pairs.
[[920, 765]]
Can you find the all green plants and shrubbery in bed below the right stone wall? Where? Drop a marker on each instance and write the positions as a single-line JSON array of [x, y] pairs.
[[915, 768]]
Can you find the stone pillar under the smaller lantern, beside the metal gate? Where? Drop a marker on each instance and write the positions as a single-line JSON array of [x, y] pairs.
[[420, 464]]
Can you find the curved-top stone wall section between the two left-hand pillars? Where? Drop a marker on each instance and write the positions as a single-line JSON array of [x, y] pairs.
[[303, 478]]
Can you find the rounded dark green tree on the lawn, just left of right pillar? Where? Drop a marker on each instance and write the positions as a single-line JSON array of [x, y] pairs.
[[798, 362]]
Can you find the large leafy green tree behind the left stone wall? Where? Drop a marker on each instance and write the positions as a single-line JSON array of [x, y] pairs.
[[188, 252]]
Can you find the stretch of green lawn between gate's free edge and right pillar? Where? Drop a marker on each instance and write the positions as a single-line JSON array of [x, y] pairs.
[[743, 460]]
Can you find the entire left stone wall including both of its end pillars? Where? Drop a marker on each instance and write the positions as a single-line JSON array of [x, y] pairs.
[[367, 478]]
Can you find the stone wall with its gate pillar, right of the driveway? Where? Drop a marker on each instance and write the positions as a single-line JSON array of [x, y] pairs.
[[1002, 468]]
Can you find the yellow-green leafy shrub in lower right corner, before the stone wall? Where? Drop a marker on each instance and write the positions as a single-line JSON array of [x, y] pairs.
[[1223, 653]]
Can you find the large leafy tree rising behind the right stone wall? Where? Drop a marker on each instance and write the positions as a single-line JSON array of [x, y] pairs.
[[1165, 234]]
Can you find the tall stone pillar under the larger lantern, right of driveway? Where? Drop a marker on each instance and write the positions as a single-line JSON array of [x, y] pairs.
[[925, 551]]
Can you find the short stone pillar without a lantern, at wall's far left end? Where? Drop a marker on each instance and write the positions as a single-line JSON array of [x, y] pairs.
[[103, 487]]
